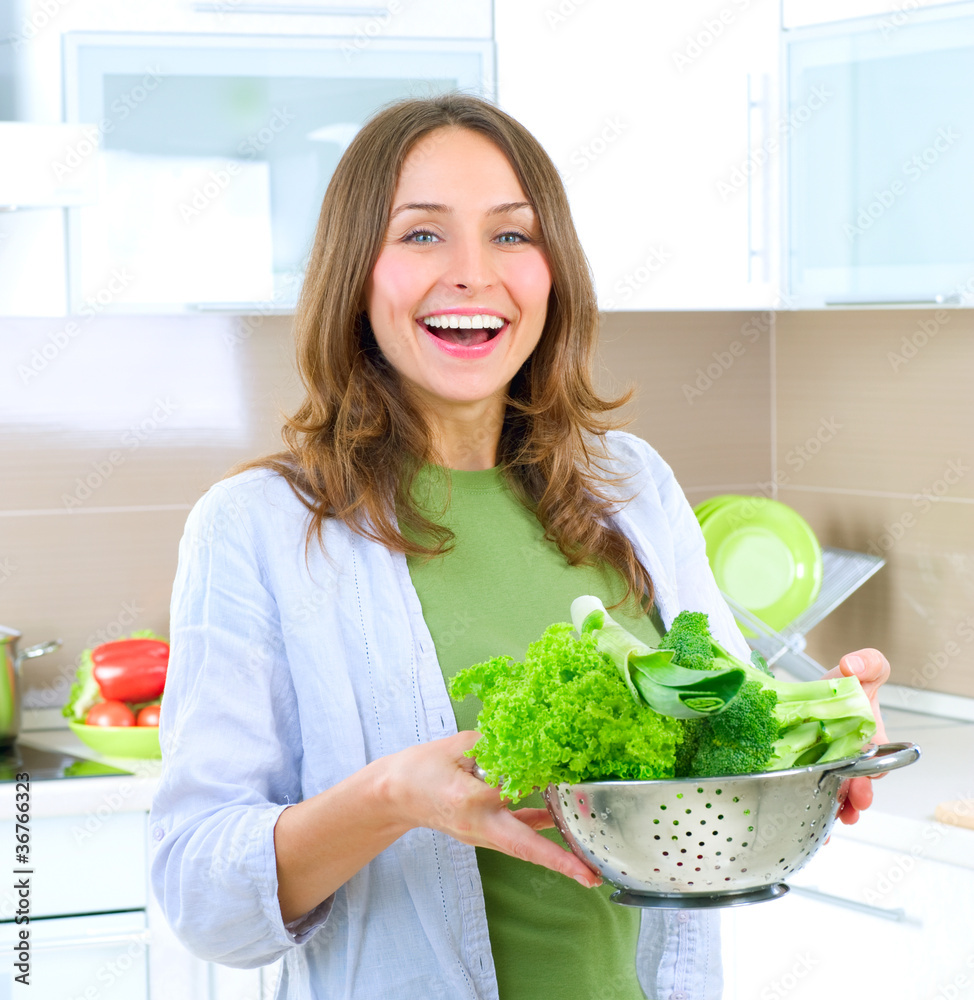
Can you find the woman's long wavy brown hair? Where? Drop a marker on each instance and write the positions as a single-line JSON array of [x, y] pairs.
[[356, 441]]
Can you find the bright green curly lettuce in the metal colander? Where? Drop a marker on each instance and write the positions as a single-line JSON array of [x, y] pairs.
[[563, 715]]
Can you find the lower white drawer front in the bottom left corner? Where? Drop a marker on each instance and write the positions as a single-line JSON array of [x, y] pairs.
[[103, 956]]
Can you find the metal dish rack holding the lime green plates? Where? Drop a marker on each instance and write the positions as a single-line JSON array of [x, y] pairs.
[[843, 572]]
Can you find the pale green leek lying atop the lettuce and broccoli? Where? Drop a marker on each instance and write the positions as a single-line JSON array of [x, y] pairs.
[[651, 677]]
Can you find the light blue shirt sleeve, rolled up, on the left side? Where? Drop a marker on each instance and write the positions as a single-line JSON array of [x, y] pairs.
[[231, 747]]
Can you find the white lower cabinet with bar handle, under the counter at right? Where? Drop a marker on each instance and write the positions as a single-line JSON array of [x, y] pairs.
[[861, 920]]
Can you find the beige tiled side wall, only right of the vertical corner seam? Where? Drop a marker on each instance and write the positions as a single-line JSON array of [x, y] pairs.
[[884, 400]]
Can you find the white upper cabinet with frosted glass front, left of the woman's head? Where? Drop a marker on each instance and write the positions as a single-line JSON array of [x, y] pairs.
[[233, 114]]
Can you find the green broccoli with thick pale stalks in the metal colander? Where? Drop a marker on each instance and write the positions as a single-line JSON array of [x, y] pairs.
[[772, 724]]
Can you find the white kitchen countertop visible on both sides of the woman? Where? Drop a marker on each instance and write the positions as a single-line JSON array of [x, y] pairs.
[[901, 817]]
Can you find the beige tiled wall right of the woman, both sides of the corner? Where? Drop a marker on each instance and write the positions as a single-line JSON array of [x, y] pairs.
[[863, 421]]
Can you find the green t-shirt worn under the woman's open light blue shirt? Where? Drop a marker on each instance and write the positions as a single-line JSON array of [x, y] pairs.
[[494, 593]]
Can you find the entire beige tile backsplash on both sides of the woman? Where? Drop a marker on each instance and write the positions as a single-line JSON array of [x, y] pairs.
[[107, 441]]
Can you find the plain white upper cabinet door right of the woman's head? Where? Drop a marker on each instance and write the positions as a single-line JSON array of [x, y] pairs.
[[662, 121]]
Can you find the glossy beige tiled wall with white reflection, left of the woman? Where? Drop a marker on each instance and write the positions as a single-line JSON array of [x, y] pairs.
[[108, 435]]
